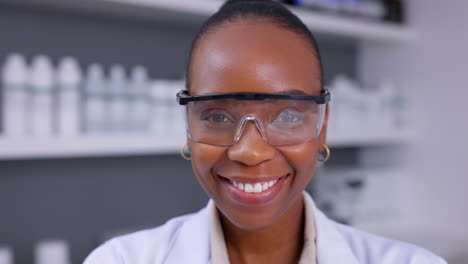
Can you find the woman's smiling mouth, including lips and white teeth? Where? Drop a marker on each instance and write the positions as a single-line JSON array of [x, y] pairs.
[[254, 192]]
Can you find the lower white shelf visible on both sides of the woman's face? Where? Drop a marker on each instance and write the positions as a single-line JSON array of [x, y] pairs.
[[151, 144]]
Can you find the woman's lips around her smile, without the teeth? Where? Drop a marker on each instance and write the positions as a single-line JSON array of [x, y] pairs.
[[254, 198]]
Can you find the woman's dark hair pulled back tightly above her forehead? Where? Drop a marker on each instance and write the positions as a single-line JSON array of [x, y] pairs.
[[234, 10]]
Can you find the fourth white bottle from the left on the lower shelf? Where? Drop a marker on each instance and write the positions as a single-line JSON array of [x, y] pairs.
[[95, 106]]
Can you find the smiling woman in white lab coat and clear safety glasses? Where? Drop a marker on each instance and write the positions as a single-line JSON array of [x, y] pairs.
[[256, 119]]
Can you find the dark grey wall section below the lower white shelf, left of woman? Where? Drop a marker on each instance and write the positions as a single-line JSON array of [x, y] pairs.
[[80, 200]]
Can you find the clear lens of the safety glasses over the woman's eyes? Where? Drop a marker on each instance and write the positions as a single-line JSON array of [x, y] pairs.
[[281, 122]]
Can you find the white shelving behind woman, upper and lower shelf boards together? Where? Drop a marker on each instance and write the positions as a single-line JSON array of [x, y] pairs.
[[188, 12]]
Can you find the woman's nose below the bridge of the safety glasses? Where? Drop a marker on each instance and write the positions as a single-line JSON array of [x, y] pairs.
[[251, 149]]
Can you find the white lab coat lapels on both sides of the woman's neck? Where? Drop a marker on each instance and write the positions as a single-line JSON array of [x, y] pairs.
[[192, 243]]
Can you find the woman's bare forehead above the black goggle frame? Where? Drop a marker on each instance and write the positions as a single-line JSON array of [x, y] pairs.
[[253, 57]]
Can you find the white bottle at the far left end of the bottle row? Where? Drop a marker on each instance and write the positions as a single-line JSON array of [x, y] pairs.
[[15, 96]]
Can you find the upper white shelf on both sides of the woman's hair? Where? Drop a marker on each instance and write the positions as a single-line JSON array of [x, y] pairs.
[[190, 11]]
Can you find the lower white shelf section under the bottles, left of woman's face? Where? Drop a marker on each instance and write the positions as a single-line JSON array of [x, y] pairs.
[[89, 146]]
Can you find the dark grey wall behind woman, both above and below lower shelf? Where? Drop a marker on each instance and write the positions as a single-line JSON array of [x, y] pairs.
[[80, 200]]
